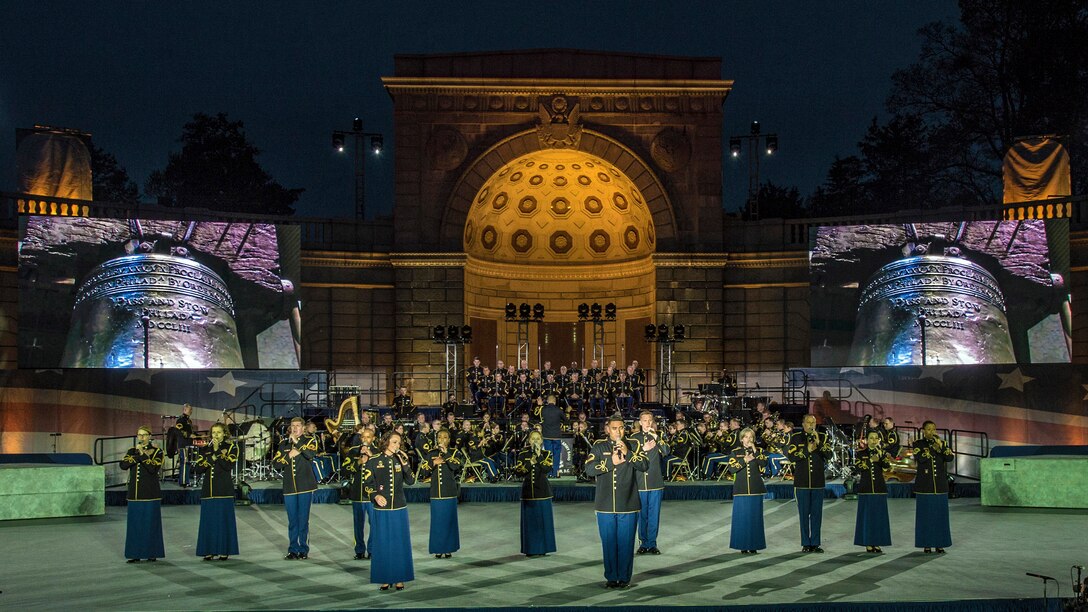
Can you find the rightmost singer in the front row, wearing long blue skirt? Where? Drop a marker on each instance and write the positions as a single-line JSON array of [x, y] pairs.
[[932, 492]]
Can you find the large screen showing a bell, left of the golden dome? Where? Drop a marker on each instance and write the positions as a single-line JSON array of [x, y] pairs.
[[135, 293]]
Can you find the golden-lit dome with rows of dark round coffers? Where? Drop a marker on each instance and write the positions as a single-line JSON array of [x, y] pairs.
[[559, 206]]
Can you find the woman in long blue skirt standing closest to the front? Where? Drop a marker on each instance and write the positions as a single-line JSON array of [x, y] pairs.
[[391, 543]]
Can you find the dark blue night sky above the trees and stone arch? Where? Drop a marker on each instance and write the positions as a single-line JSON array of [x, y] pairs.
[[813, 72]]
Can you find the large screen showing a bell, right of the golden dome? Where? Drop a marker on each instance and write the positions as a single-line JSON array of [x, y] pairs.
[[949, 293]]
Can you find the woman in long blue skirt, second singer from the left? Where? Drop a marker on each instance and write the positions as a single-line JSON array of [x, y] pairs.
[[218, 534]]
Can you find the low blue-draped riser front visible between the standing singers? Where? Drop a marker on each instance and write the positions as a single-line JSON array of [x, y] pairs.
[[565, 489]]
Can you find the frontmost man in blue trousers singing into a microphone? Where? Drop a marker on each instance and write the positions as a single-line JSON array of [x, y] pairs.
[[615, 463]]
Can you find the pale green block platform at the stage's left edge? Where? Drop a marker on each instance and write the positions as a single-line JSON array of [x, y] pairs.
[[47, 491]]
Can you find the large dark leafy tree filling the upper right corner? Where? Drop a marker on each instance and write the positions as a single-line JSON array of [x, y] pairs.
[[1009, 69]]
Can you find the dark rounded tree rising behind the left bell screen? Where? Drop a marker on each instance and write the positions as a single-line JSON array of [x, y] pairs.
[[217, 169]]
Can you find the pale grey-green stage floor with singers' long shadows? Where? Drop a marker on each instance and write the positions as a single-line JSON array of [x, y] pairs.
[[59, 564]]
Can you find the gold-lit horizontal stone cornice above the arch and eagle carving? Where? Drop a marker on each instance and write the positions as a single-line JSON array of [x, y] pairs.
[[543, 87]]
